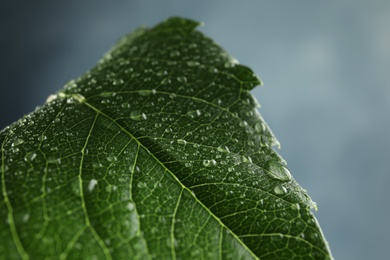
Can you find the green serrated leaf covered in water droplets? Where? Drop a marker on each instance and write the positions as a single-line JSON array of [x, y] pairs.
[[157, 152]]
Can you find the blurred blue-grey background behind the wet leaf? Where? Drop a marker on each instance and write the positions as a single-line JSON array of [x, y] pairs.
[[326, 94]]
